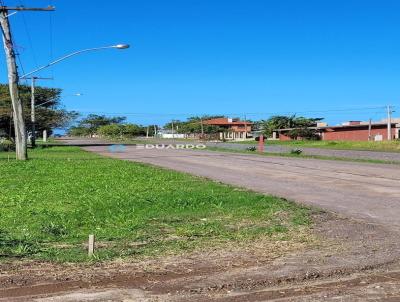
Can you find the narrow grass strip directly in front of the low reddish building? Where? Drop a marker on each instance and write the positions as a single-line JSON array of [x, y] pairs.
[[389, 146]]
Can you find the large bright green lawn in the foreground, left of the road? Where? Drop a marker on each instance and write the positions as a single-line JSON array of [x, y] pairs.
[[51, 203]]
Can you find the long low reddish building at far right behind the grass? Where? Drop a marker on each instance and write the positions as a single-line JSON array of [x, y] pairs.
[[350, 131]]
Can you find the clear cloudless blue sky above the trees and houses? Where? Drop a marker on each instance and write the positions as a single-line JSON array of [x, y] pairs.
[[236, 57]]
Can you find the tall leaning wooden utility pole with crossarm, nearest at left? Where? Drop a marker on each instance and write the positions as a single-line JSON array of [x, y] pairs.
[[18, 114]]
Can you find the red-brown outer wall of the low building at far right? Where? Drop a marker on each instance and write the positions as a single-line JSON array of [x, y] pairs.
[[356, 134]]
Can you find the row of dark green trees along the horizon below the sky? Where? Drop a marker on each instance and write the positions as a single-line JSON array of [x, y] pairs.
[[51, 115]]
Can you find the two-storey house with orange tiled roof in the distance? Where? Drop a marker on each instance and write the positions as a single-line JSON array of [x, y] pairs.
[[234, 129]]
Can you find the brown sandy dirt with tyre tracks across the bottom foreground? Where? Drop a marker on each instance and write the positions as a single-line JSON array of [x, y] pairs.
[[351, 259]]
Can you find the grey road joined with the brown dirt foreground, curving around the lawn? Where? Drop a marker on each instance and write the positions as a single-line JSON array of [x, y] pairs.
[[358, 258]]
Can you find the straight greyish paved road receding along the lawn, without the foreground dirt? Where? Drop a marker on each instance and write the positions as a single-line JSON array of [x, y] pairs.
[[359, 190]]
